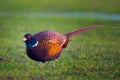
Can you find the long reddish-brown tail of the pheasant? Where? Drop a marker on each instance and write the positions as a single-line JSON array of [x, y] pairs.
[[79, 31]]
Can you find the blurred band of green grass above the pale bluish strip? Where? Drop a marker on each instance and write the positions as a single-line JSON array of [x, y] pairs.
[[61, 5]]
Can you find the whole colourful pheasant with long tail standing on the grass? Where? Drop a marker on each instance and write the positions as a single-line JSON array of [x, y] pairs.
[[47, 45]]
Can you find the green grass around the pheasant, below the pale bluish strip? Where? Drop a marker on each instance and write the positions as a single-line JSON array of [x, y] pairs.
[[94, 55]]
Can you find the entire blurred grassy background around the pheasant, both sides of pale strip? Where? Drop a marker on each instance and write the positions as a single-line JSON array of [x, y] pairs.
[[94, 55]]
